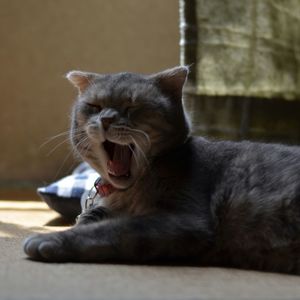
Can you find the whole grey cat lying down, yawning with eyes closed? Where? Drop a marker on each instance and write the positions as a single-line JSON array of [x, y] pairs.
[[168, 197]]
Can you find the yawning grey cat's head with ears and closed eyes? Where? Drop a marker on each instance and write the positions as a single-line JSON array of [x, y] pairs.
[[122, 121]]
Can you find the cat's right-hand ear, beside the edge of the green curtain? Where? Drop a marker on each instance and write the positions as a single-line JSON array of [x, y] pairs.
[[171, 81]]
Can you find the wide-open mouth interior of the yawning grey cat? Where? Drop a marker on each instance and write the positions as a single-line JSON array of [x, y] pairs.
[[119, 162]]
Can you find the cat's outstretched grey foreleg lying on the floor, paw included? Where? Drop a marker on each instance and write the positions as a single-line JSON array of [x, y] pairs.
[[136, 239]]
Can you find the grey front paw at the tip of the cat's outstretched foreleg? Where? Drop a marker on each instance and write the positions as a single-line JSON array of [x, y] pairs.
[[46, 247]]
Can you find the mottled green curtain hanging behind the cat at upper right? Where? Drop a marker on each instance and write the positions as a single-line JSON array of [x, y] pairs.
[[247, 48]]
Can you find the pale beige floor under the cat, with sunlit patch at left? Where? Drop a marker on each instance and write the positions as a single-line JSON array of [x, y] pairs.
[[24, 279]]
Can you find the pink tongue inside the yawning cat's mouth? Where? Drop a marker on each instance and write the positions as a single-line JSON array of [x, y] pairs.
[[119, 165]]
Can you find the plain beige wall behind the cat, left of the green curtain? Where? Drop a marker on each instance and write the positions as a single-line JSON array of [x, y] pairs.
[[43, 39]]
